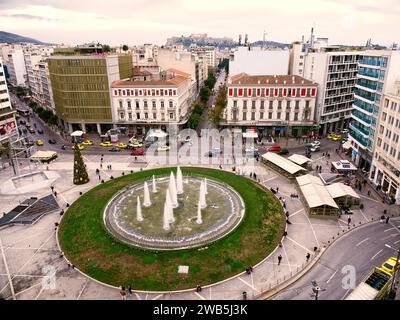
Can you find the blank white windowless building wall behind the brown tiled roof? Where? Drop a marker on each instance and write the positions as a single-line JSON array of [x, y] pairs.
[[257, 61]]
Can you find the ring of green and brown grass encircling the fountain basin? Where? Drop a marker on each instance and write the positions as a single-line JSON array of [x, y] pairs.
[[87, 243]]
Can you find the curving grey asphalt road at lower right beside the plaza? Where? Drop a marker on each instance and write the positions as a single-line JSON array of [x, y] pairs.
[[362, 249]]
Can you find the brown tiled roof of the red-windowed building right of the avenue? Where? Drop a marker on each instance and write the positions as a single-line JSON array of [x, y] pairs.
[[244, 78]]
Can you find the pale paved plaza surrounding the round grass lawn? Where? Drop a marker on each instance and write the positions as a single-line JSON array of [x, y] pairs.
[[32, 267]]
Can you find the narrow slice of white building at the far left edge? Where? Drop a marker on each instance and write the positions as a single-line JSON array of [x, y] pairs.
[[8, 124]]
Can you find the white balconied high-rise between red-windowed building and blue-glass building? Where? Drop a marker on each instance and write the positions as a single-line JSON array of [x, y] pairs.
[[336, 73]]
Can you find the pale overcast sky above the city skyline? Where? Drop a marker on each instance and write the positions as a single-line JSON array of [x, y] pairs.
[[153, 21]]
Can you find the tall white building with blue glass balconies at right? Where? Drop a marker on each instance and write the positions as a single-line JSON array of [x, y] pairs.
[[377, 74]]
